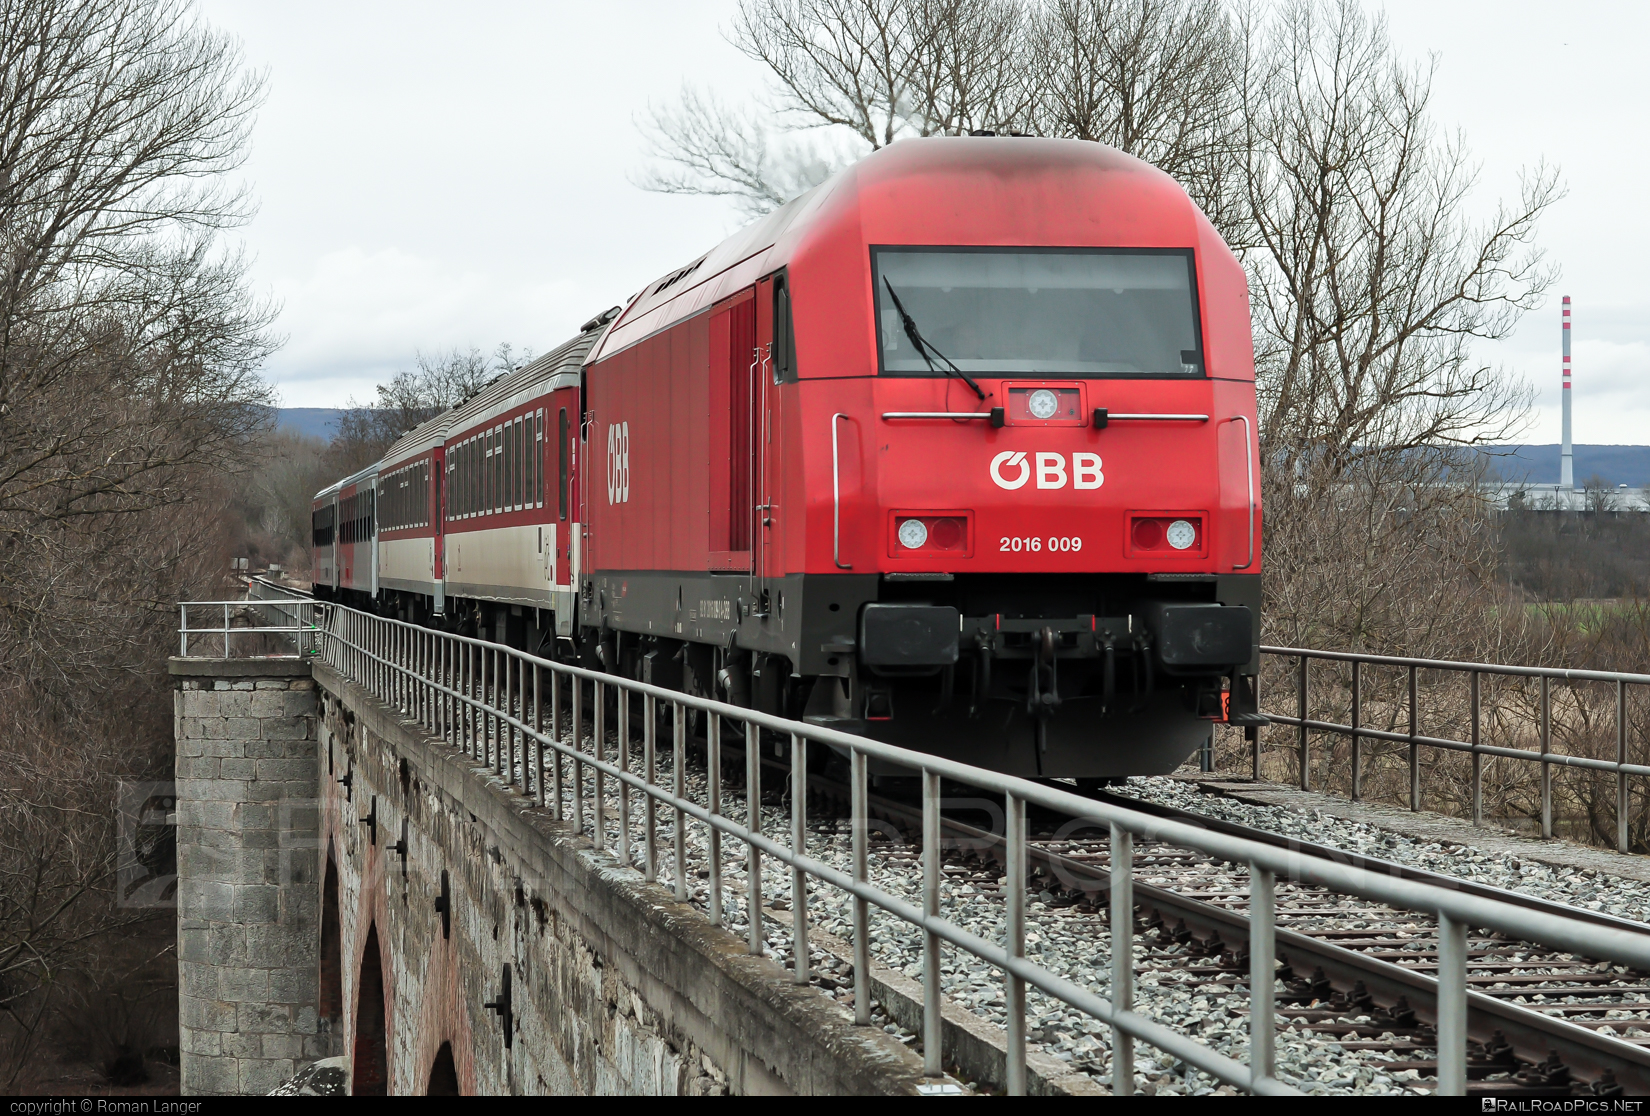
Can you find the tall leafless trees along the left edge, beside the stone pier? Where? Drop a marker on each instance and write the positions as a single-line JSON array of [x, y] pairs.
[[130, 356]]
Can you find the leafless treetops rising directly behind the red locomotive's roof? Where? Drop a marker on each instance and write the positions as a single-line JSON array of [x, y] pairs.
[[1154, 78]]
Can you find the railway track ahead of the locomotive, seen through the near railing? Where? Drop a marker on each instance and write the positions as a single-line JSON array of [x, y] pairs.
[[1352, 972]]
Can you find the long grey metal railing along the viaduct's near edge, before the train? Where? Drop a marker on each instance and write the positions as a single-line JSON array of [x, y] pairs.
[[507, 711]]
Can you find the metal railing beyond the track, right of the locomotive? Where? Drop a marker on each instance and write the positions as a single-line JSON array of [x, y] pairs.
[[1359, 732]]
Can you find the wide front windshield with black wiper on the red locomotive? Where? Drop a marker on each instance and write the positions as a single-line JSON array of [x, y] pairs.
[[1049, 313]]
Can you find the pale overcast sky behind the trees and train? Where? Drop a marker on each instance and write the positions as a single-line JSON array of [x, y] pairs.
[[453, 176]]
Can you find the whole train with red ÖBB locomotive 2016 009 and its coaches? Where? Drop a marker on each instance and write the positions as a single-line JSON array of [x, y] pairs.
[[955, 452]]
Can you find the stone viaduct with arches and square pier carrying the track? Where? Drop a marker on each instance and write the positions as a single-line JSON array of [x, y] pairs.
[[351, 887]]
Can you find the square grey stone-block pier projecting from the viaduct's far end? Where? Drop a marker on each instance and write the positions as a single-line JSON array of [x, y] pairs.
[[248, 884]]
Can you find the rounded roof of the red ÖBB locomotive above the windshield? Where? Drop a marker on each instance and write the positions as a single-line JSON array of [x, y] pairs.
[[936, 191]]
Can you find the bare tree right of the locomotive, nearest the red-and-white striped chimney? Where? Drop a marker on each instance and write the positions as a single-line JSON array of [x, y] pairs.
[[1369, 283]]
